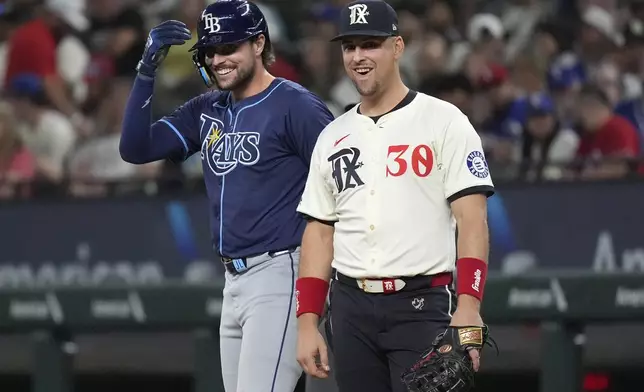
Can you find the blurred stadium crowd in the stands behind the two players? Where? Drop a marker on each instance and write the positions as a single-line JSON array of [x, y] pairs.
[[553, 86]]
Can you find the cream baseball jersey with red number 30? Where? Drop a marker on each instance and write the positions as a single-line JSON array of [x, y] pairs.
[[386, 184]]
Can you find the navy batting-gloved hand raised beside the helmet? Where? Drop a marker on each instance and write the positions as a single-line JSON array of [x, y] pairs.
[[161, 37]]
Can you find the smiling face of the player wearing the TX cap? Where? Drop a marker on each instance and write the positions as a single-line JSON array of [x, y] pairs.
[[370, 62]]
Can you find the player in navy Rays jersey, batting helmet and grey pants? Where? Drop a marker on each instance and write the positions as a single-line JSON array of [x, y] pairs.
[[255, 134]]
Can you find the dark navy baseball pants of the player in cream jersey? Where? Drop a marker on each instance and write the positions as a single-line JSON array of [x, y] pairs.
[[376, 336]]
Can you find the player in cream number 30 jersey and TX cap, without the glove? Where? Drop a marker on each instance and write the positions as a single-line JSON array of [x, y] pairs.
[[390, 182]]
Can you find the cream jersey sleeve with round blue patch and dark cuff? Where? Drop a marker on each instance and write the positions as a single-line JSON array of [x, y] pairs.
[[463, 158]]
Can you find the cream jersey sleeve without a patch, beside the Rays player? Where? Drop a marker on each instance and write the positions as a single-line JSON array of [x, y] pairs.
[[318, 200]]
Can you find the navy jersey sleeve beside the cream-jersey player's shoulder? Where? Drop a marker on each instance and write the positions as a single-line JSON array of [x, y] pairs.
[[307, 117]]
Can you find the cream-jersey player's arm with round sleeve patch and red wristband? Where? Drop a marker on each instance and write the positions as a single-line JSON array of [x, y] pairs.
[[467, 184]]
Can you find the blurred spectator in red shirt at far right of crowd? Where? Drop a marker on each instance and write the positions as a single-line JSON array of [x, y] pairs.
[[609, 143]]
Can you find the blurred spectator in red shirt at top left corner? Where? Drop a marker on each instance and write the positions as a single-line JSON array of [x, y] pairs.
[[32, 49]]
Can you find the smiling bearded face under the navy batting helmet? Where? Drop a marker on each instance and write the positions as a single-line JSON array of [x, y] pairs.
[[234, 64]]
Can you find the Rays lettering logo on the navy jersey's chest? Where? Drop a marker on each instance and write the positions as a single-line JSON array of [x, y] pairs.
[[222, 152]]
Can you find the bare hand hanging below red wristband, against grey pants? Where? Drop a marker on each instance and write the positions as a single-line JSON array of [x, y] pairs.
[[312, 353]]
